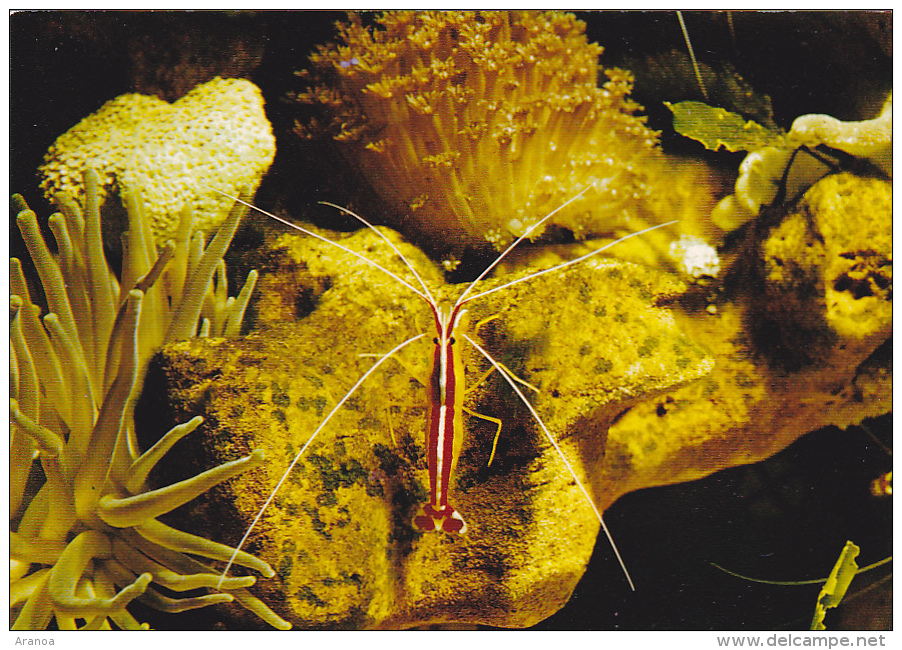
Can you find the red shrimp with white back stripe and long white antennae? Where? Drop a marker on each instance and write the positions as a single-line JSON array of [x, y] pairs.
[[445, 383]]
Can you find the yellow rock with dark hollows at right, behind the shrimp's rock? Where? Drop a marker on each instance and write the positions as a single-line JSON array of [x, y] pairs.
[[801, 347]]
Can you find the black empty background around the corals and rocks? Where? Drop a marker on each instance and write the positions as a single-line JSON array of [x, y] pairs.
[[784, 519]]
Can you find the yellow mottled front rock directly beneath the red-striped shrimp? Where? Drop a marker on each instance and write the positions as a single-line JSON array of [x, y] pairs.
[[340, 534]]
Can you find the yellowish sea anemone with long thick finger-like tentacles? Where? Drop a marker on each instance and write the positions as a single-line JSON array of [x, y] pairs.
[[85, 540]]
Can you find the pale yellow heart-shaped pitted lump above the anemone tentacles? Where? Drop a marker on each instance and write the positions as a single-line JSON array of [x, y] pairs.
[[216, 135]]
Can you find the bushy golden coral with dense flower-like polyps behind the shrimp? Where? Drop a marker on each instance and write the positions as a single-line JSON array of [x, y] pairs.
[[473, 126]]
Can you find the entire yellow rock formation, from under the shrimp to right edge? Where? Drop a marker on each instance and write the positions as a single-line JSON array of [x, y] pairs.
[[637, 394]]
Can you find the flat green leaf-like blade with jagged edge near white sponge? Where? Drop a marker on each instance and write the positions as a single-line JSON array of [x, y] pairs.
[[718, 127]]
